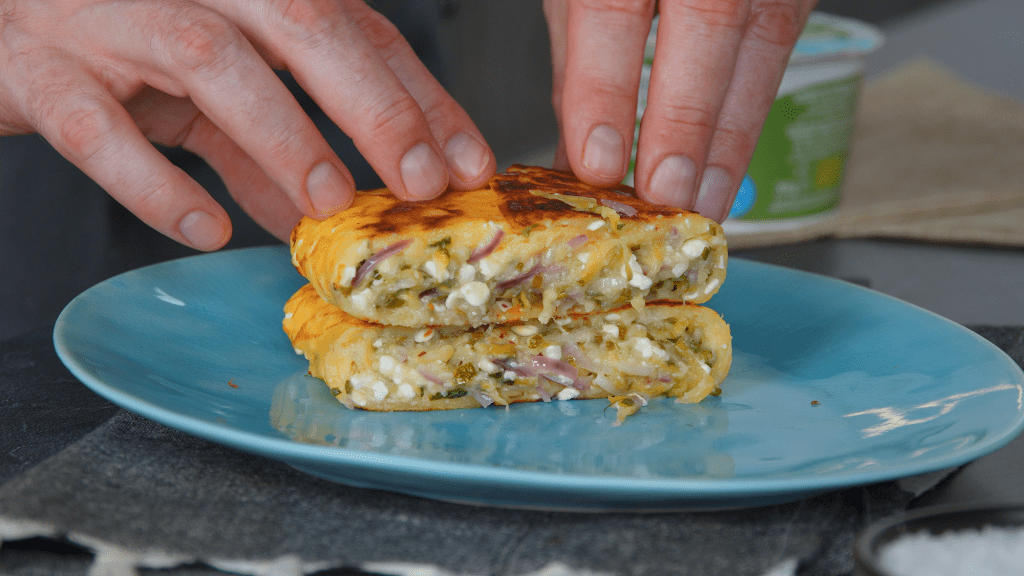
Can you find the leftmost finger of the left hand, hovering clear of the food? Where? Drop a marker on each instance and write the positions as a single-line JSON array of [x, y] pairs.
[[80, 119]]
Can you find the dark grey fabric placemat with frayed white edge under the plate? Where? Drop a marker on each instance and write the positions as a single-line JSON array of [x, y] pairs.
[[142, 495]]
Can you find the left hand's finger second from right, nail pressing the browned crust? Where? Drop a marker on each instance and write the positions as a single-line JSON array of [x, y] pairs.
[[324, 47]]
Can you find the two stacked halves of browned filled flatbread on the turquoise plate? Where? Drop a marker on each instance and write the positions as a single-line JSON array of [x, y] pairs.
[[537, 287]]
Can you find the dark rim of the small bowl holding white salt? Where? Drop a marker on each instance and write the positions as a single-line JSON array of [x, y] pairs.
[[935, 520]]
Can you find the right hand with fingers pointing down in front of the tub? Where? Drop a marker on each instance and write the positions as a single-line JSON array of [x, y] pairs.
[[717, 68]]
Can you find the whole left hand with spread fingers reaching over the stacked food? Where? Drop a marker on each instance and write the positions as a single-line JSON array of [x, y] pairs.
[[102, 79]]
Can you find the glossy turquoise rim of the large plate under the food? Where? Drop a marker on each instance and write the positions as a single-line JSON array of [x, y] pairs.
[[684, 488]]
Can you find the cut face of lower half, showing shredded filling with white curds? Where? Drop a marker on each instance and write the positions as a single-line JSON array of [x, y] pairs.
[[611, 355]]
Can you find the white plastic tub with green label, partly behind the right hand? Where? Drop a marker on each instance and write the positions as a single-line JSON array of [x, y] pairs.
[[797, 171]]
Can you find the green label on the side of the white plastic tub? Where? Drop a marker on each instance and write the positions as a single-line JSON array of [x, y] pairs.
[[798, 164]]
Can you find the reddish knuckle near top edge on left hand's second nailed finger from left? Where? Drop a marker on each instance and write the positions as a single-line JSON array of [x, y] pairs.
[[198, 40]]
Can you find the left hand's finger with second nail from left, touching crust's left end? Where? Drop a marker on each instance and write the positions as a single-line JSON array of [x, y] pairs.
[[189, 51]]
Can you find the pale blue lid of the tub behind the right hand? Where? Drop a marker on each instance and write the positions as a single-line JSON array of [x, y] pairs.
[[825, 37]]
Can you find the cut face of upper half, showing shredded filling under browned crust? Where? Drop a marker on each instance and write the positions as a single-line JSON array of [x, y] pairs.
[[574, 277]]
